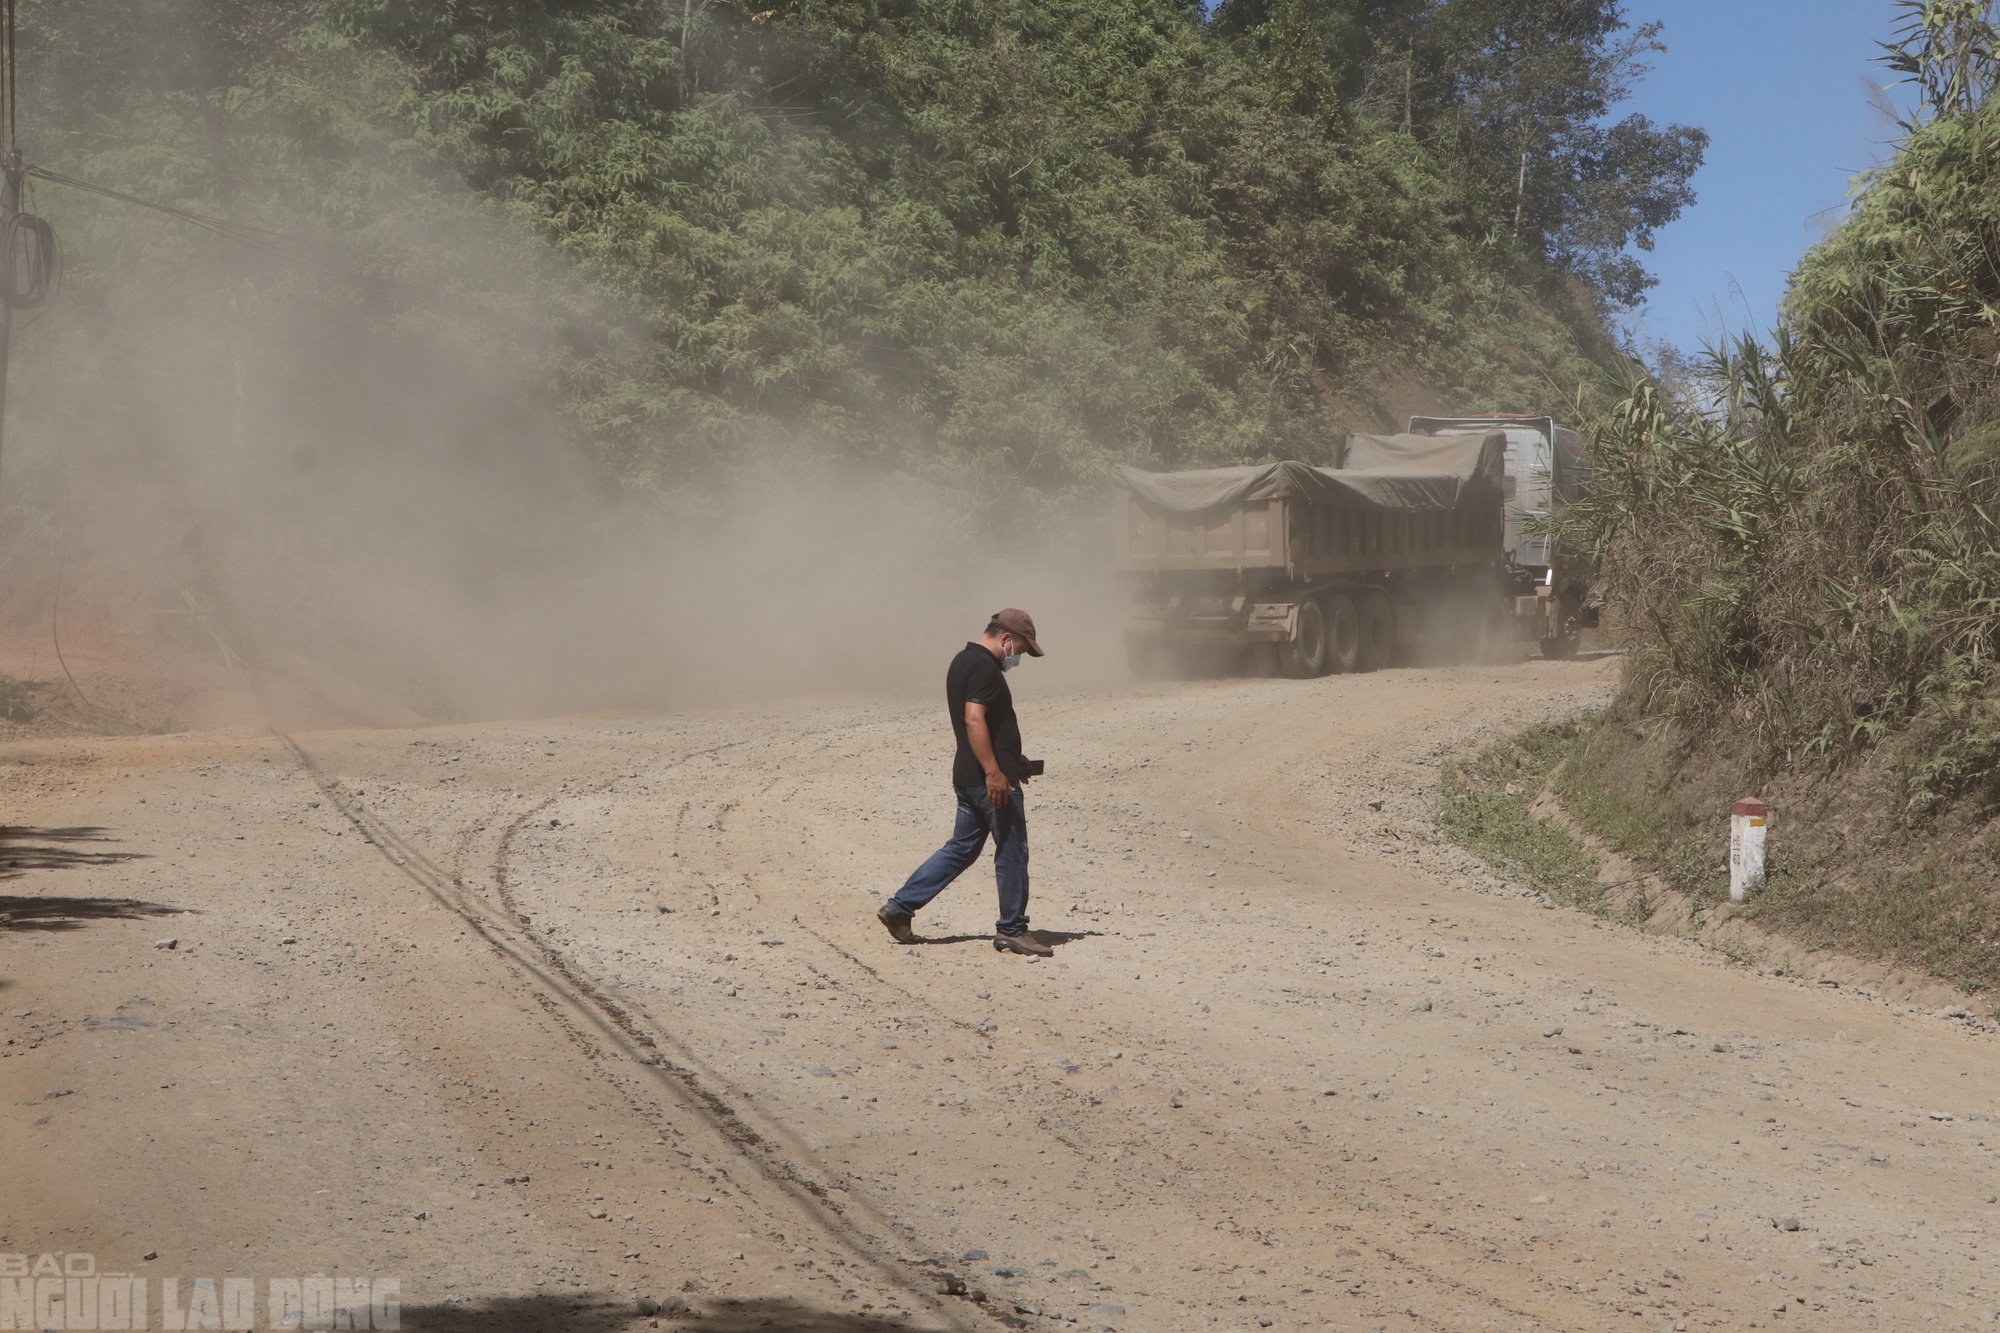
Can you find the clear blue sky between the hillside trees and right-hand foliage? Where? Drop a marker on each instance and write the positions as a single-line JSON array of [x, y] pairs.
[[1783, 91]]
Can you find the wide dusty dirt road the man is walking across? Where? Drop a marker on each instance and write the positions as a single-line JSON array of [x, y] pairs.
[[539, 1020]]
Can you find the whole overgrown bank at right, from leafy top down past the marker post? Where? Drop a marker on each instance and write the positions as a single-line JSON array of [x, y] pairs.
[[1803, 545]]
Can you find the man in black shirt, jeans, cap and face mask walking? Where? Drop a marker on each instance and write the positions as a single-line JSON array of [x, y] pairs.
[[987, 776]]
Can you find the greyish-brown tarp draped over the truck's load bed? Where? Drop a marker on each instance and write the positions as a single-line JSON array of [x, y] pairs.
[[1401, 473]]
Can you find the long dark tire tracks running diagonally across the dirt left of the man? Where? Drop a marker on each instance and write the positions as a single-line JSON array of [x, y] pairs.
[[607, 1034]]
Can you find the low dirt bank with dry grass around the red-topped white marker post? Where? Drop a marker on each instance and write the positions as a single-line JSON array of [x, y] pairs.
[[1871, 880]]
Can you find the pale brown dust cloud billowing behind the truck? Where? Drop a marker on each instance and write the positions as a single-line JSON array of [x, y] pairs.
[[261, 495]]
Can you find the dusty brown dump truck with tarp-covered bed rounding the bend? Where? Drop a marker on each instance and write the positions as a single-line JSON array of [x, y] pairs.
[[1401, 549]]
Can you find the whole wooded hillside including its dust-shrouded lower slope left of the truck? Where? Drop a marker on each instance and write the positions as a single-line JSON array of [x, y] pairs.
[[593, 351]]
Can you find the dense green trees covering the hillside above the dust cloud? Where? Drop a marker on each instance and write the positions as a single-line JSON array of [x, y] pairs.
[[1003, 243]]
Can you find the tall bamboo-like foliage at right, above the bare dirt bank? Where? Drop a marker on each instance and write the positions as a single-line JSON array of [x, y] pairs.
[[1803, 535]]
